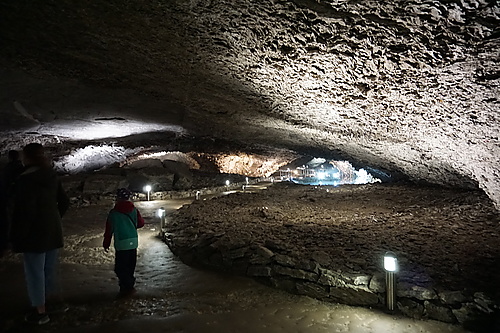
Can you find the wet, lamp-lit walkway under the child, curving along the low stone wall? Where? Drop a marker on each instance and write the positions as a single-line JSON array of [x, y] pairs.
[[173, 297]]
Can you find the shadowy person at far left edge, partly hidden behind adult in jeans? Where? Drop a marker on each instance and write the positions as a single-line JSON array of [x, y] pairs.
[[10, 173]]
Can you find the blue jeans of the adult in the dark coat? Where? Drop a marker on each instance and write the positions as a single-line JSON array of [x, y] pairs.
[[40, 271]]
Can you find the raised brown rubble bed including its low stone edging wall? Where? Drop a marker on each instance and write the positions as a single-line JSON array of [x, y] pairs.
[[328, 243]]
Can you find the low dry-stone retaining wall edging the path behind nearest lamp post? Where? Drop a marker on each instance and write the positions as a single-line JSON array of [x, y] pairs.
[[311, 277]]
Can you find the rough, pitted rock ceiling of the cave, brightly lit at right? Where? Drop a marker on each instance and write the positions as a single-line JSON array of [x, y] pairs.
[[411, 86]]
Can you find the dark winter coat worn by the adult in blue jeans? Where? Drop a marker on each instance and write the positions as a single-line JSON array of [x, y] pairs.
[[39, 202]]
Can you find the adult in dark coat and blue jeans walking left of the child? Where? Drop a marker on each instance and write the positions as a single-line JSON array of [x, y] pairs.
[[39, 202]]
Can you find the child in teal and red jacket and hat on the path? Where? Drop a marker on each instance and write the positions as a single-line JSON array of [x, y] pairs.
[[122, 223]]
